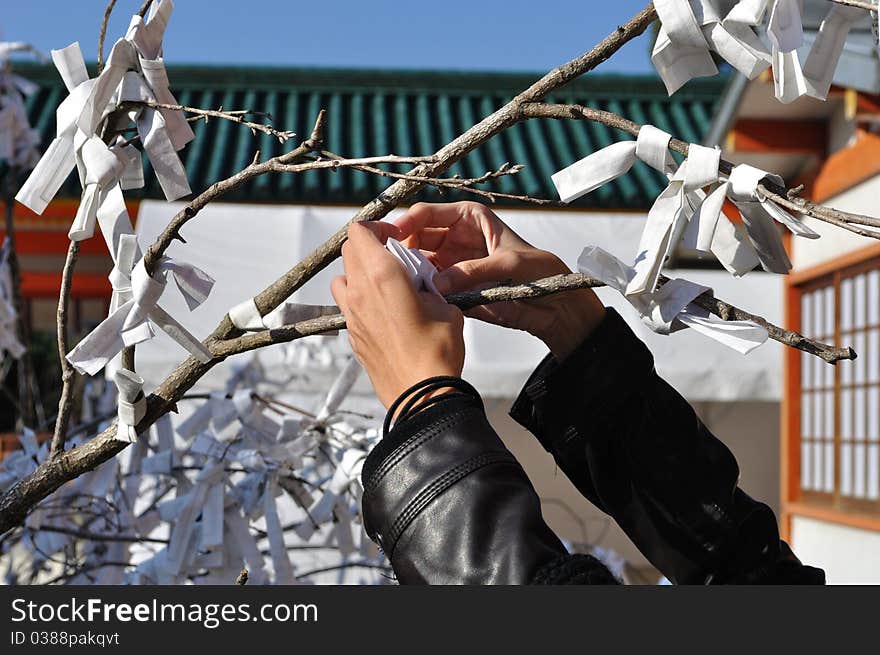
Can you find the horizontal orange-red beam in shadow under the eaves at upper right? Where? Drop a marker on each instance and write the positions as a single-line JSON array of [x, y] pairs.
[[805, 137]]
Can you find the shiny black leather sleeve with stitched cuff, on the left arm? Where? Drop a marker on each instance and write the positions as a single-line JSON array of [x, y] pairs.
[[449, 504]]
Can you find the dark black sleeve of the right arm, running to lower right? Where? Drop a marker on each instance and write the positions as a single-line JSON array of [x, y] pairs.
[[635, 448]]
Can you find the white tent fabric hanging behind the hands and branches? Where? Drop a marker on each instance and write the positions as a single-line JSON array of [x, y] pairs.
[[245, 247]]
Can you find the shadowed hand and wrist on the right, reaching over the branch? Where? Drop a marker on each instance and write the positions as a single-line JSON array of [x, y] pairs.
[[473, 249]]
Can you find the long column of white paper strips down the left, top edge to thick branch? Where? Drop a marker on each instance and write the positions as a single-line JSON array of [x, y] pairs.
[[134, 72]]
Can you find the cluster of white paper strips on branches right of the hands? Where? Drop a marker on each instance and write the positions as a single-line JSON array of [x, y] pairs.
[[689, 211]]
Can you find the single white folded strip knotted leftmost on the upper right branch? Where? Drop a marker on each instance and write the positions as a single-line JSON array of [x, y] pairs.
[[608, 164]]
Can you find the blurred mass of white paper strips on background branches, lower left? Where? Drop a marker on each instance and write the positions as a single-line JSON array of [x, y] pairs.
[[240, 484]]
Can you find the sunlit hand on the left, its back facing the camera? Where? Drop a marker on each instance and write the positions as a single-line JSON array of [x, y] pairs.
[[400, 335]]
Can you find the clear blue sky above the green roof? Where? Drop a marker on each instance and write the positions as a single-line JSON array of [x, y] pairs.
[[454, 34]]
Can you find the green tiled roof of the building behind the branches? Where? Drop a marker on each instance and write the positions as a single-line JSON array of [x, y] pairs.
[[374, 112]]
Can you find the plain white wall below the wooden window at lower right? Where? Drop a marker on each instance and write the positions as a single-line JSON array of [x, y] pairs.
[[848, 555]]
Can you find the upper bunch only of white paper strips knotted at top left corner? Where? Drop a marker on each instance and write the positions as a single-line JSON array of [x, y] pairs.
[[133, 71]]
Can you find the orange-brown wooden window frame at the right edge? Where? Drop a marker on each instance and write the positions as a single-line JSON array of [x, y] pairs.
[[831, 507]]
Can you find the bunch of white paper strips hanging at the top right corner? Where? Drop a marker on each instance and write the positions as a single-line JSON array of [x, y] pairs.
[[692, 29]]
